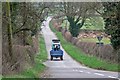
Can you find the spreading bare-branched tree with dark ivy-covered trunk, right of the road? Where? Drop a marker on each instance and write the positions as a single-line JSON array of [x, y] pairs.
[[77, 13]]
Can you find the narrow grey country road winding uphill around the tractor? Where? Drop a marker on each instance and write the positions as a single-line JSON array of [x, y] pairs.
[[68, 68]]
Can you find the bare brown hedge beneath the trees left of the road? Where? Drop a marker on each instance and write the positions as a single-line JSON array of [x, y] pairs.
[[23, 56]]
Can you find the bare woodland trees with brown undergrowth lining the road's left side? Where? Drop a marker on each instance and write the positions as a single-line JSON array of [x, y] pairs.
[[21, 21]]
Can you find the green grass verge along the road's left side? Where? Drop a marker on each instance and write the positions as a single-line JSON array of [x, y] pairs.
[[37, 69]]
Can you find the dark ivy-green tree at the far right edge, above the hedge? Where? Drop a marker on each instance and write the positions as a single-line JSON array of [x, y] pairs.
[[112, 22]]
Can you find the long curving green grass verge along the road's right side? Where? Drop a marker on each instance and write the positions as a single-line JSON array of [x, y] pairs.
[[81, 57]]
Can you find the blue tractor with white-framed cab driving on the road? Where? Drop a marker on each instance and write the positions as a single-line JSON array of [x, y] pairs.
[[56, 51]]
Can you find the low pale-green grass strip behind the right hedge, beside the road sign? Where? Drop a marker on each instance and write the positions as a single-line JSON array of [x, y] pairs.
[[104, 40]]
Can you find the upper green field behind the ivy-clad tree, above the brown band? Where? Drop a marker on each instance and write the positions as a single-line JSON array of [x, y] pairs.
[[93, 23]]
